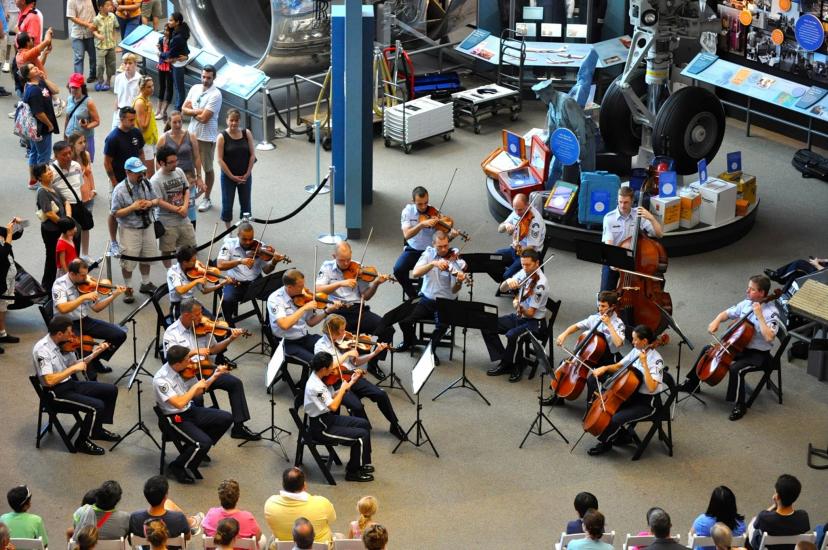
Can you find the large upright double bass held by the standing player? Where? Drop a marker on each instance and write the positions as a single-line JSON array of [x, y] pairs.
[[640, 293]]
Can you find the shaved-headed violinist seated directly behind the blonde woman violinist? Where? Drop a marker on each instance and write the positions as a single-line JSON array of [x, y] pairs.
[[340, 278]]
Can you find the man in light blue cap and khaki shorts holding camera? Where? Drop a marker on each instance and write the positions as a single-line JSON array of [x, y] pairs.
[[133, 201]]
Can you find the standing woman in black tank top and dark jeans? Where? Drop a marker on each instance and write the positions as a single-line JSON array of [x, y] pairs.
[[236, 155]]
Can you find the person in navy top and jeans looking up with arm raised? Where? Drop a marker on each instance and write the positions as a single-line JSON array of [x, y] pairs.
[[38, 93]]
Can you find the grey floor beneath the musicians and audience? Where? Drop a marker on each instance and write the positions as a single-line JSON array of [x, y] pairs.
[[482, 491]]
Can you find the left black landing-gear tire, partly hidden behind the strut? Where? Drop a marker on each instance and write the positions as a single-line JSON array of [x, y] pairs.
[[621, 135]]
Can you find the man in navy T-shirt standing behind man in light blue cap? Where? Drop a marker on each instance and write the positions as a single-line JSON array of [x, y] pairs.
[[122, 143]]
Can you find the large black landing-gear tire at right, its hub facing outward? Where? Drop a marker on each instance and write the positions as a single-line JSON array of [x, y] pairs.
[[689, 127]]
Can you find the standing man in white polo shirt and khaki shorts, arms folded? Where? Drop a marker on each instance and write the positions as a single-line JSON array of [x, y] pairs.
[[203, 104]]
